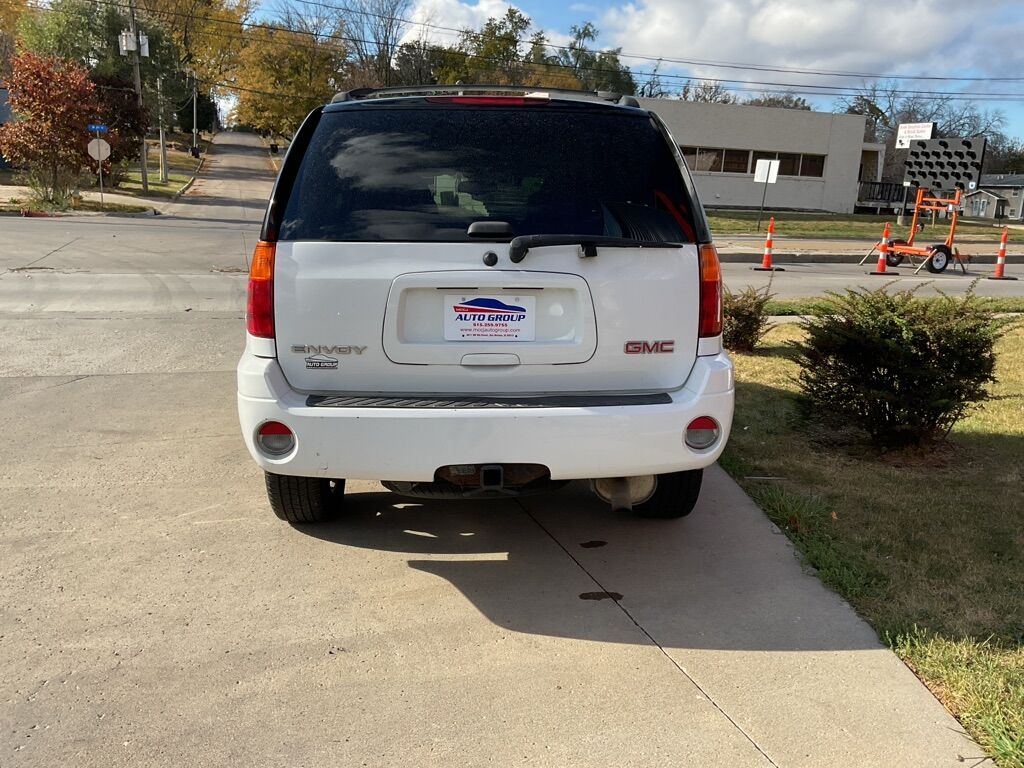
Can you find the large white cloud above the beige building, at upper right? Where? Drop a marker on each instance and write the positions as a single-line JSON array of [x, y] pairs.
[[865, 36]]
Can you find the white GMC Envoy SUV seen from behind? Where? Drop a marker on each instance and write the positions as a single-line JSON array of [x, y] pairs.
[[485, 292]]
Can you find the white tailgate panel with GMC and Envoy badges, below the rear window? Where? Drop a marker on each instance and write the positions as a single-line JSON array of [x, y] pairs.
[[351, 321]]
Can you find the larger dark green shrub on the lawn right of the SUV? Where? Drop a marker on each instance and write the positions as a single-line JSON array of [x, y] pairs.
[[902, 369]]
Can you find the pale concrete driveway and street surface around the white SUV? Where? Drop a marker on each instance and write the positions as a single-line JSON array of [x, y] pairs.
[[154, 613]]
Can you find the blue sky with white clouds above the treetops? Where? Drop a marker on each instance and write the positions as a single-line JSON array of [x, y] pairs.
[[868, 37]]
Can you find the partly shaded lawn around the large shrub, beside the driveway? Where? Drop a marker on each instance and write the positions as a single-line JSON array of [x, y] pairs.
[[928, 548]]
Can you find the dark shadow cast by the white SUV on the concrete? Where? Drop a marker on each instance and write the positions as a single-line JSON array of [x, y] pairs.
[[564, 566]]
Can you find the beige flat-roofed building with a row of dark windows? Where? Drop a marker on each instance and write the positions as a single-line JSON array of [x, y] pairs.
[[823, 157]]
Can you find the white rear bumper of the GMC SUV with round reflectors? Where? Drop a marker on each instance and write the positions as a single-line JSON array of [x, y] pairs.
[[381, 444]]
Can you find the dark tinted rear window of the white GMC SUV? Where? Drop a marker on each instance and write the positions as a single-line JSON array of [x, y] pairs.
[[421, 175]]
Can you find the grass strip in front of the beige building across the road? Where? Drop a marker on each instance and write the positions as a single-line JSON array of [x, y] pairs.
[[790, 225]]
